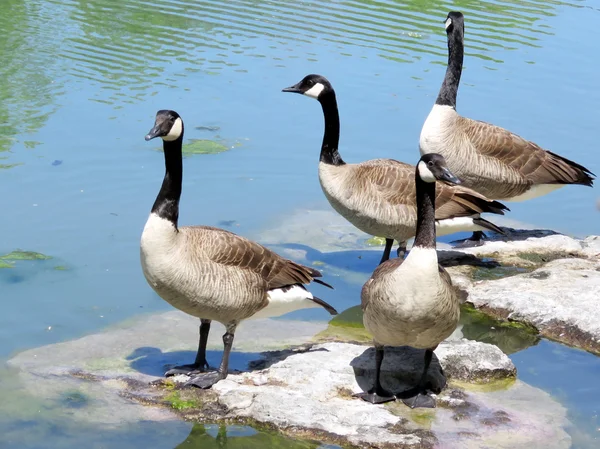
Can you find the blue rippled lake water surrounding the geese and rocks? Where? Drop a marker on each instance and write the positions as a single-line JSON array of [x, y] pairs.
[[81, 82]]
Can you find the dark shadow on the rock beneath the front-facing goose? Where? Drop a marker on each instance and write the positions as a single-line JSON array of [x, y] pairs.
[[400, 371]]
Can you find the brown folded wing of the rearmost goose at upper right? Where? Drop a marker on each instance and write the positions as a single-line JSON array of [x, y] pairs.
[[522, 157]]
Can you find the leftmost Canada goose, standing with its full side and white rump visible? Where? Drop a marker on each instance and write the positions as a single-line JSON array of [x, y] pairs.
[[211, 273]]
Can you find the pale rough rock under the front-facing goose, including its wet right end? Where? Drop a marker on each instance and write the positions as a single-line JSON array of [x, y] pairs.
[[313, 390]]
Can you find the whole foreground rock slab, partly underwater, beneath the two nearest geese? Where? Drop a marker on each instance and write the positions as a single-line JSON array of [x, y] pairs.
[[115, 377]]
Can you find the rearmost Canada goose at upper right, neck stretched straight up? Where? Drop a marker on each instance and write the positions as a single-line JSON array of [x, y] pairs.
[[487, 158]]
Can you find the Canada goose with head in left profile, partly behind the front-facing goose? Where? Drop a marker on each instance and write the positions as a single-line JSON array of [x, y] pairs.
[[378, 196]]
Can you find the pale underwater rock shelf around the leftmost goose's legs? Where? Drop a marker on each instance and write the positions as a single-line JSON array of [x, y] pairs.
[[97, 368]]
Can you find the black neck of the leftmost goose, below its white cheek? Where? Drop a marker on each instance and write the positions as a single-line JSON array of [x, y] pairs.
[[166, 205]]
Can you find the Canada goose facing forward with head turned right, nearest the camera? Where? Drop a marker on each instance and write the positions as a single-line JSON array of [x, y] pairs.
[[412, 302]]
